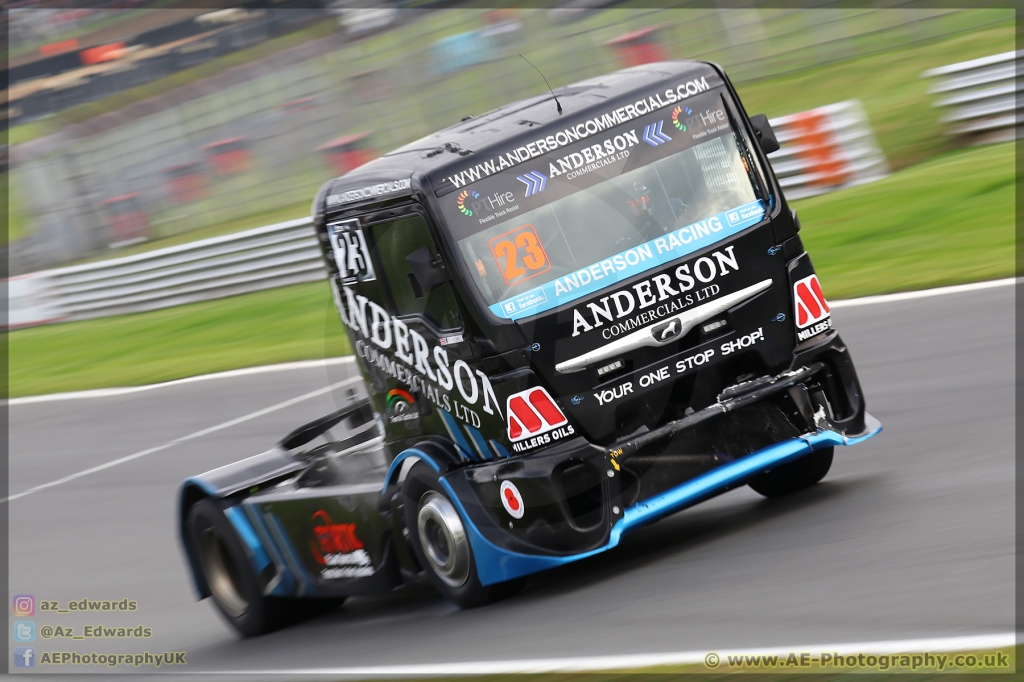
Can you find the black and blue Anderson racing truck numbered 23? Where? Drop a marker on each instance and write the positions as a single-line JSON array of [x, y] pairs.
[[573, 317]]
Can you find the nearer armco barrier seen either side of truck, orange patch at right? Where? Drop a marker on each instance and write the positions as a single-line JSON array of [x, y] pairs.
[[823, 150]]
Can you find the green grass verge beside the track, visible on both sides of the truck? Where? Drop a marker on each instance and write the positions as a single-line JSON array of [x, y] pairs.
[[948, 222]]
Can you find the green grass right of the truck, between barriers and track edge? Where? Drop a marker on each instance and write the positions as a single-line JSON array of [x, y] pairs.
[[950, 221]]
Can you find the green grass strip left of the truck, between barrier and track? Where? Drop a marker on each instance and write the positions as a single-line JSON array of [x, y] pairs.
[[281, 325]]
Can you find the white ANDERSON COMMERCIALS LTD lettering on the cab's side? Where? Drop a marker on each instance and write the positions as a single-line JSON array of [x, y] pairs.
[[404, 355]]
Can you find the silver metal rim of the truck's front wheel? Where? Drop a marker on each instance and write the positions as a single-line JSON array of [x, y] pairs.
[[444, 539]]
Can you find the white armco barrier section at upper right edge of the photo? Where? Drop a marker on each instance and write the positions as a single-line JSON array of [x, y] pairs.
[[980, 97]]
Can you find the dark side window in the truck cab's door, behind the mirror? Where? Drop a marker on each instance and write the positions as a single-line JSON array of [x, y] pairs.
[[393, 242]]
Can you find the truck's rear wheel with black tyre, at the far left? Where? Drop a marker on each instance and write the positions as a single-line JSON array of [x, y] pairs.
[[233, 582]]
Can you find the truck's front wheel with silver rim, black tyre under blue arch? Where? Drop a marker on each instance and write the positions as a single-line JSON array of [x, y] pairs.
[[442, 546]]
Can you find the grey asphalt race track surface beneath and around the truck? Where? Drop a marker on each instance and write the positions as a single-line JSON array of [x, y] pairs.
[[911, 536]]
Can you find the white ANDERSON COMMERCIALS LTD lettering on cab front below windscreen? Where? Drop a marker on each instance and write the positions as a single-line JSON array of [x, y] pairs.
[[656, 297]]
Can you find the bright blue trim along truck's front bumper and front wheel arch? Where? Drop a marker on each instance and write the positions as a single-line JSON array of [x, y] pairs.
[[495, 565]]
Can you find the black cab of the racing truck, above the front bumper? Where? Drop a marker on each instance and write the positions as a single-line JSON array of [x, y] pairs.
[[632, 257]]
